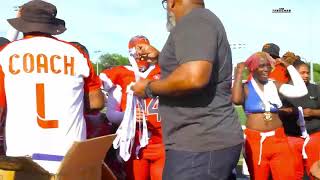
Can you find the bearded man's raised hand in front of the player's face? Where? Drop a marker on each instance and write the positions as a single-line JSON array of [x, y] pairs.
[[147, 52]]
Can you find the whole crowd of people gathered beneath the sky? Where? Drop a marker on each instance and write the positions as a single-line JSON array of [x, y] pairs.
[[173, 112]]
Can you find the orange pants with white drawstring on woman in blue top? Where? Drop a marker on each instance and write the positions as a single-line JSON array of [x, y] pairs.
[[275, 155]]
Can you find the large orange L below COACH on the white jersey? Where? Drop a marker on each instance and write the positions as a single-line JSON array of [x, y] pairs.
[[41, 110]]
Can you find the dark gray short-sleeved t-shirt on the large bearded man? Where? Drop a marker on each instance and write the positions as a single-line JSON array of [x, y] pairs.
[[204, 120]]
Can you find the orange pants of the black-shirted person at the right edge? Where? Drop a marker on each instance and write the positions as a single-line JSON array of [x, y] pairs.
[[312, 150]]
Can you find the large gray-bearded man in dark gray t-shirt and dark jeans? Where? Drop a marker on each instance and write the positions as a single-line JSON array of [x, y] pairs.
[[202, 133]]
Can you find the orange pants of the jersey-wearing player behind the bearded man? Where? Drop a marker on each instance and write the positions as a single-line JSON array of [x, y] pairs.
[[149, 165]]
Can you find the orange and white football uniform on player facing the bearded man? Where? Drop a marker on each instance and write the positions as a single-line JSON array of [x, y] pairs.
[[149, 161]]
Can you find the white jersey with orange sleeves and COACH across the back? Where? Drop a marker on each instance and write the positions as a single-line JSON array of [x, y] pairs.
[[44, 82]]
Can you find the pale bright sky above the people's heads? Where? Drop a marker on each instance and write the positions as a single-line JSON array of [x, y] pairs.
[[107, 25]]
